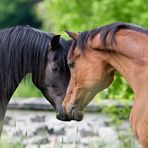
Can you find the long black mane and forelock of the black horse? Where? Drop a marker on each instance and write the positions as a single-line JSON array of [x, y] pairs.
[[23, 49]]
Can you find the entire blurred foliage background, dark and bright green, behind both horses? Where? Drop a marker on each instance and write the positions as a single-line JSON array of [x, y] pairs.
[[75, 15]]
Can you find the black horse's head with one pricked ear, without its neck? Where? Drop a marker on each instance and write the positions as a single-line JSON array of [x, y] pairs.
[[55, 76]]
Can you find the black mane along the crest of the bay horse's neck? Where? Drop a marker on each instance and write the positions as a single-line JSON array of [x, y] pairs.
[[104, 30]]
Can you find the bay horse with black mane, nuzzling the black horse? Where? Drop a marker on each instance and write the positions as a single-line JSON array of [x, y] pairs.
[[94, 57]]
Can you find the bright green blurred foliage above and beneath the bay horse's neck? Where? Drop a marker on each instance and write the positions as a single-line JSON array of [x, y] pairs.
[[79, 15]]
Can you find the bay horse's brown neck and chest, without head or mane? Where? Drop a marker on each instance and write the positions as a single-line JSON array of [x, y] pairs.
[[131, 60]]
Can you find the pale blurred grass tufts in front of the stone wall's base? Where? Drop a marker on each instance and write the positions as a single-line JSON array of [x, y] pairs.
[[124, 135]]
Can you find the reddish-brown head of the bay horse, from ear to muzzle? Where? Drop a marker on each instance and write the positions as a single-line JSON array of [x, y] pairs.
[[90, 74]]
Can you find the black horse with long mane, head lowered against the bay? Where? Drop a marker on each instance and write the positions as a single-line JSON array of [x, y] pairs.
[[23, 50]]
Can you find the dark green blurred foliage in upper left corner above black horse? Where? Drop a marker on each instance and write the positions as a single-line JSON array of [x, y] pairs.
[[17, 12]]
